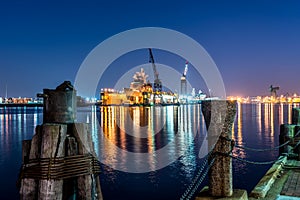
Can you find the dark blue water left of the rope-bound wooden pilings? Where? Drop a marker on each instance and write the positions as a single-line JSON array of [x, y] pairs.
[[16, 124]]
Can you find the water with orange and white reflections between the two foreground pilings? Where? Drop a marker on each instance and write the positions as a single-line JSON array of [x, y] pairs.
[[163, 125]]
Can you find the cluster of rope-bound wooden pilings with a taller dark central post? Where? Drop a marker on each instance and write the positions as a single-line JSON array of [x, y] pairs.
[[59, 162]]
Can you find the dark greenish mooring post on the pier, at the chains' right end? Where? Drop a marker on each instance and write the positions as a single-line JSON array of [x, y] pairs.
[[291, 133]]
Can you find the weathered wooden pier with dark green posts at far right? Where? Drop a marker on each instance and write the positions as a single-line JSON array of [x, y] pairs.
[[282, 181]]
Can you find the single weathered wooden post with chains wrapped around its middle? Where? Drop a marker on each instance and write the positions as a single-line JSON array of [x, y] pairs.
[[219, 116]]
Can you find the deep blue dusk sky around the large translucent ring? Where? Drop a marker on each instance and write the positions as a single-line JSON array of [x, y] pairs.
[[253, 43]]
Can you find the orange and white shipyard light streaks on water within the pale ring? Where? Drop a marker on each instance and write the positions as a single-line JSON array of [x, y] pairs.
[[126, 133]]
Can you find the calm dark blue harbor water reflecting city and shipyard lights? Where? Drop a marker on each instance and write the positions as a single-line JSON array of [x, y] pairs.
[[179, 130]]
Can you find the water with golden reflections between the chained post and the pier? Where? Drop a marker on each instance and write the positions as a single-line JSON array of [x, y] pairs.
[[257, 127]]
